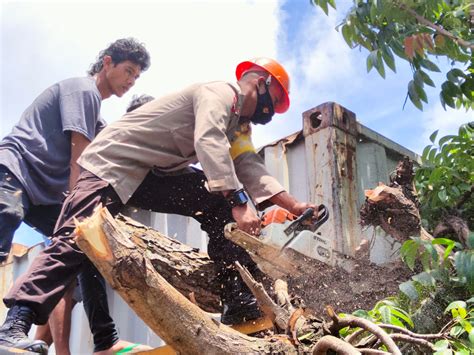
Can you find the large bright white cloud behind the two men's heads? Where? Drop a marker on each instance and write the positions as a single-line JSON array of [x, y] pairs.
[[189, 41]]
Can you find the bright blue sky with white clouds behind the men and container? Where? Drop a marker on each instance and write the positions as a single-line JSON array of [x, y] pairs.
[[189, 41]]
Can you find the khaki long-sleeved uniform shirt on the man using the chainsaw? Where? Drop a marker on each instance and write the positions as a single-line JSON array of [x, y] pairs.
[[198, 124]]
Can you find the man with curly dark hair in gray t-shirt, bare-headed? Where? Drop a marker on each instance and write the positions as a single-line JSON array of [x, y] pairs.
[[38, 161]]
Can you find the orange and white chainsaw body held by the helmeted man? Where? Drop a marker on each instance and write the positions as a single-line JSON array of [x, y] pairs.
[[282, 229]]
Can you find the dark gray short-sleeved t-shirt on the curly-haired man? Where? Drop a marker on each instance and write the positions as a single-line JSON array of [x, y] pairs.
[[38, 150]]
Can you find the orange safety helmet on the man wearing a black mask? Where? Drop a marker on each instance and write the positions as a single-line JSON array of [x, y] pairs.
[[276, 70]]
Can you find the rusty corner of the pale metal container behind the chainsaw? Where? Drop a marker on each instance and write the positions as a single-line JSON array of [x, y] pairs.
[[337, 159]]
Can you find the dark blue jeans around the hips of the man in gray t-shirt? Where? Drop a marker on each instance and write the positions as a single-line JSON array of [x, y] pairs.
[[16, 207]]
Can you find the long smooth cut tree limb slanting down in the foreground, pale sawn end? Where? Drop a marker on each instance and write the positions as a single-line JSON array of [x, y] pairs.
[[180, 323]]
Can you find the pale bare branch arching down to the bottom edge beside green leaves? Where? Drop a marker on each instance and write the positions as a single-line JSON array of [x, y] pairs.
[[351, 321]]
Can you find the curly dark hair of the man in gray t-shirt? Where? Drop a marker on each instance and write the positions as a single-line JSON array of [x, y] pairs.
[[120, 51]]
